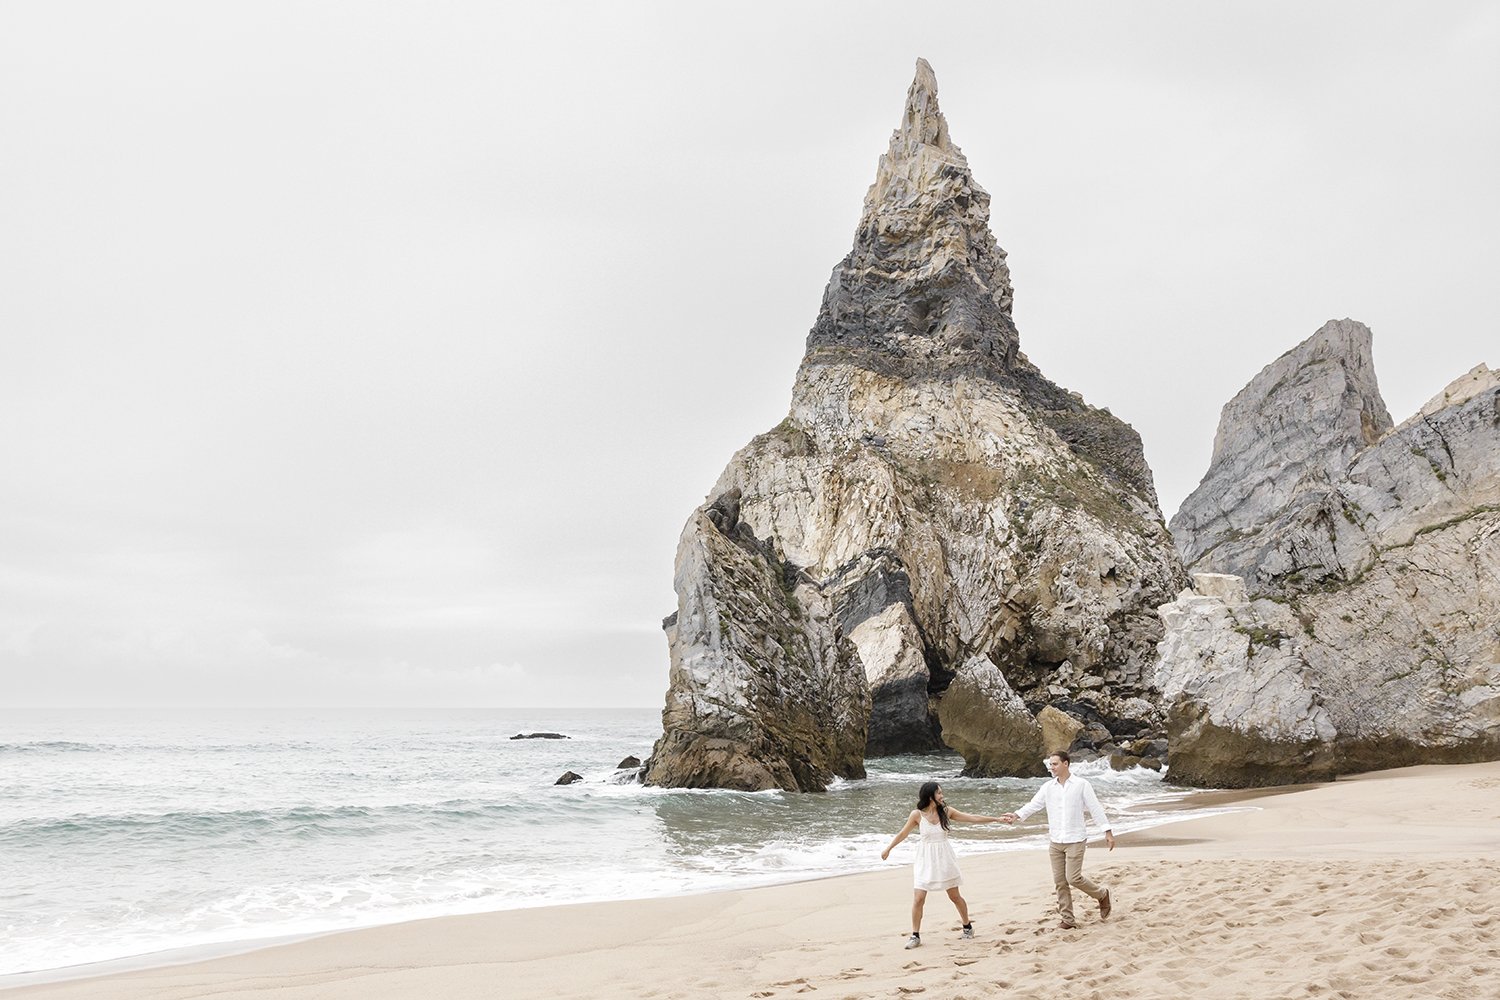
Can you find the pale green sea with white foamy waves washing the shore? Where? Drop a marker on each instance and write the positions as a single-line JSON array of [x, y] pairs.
[[160, 836]]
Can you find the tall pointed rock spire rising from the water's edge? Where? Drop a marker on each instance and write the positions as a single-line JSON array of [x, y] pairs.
[[935, 536]]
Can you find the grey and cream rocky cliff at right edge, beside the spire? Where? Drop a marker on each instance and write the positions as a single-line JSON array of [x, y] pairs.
[[1370, 630]]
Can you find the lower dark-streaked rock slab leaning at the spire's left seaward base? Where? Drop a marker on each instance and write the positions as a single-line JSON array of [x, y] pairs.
[[766, 690]]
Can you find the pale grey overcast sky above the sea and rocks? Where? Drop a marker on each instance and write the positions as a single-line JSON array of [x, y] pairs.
[[376, 355]]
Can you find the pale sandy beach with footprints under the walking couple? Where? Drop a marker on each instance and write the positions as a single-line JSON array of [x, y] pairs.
[[1378, 885]]
